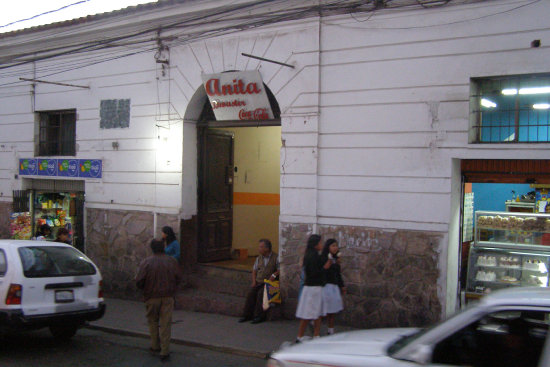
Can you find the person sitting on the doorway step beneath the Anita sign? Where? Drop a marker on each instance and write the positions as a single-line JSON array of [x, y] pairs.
[[265, 267]]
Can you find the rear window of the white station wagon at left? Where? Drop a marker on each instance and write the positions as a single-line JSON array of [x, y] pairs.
[[53, 261]]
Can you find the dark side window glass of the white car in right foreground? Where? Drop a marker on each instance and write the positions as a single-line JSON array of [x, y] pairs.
[[505, 339]]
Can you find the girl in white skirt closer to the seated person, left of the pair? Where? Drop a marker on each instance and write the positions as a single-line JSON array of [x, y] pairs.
[[310, 304]]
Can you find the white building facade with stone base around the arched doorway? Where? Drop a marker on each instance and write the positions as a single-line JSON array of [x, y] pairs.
[[375, 120]]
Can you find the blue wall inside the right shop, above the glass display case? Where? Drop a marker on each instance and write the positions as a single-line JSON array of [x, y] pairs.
[[490, 196]]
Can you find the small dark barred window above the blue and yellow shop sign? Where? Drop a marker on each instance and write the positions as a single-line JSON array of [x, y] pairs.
[[57, 133]]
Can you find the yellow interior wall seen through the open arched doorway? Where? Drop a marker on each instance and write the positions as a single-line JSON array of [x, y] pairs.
[[257, 158]]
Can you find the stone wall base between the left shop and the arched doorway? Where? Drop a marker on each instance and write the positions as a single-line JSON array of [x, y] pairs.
[[117, 241]]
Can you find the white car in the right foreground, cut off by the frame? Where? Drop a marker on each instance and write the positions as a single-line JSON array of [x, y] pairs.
[[508, 328]]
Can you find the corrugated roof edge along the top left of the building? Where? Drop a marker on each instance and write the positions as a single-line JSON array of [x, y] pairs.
[[95, 17]]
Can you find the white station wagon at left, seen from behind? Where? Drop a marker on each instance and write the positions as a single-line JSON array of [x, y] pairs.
[[47, 284]]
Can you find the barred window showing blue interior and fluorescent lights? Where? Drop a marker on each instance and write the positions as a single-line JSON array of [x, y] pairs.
[[511, 109]]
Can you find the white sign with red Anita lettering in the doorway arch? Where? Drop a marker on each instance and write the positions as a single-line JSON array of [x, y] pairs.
[[238, 96]]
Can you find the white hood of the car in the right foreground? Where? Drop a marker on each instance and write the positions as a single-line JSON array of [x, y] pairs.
[[357, 343]]
